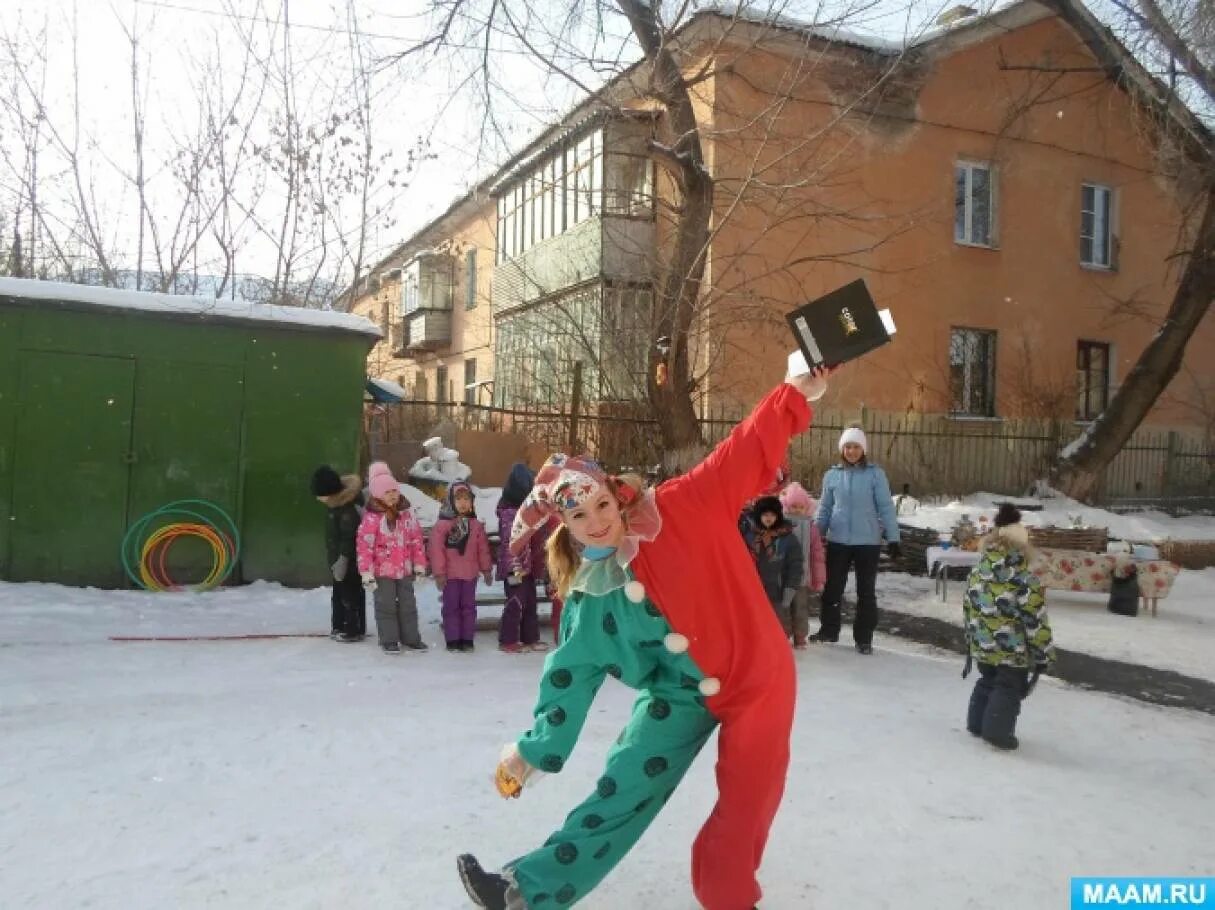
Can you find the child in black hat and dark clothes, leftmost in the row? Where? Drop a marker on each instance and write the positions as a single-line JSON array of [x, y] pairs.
[[348, 602]]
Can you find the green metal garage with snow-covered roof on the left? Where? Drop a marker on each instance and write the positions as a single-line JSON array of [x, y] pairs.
[[116, 403]]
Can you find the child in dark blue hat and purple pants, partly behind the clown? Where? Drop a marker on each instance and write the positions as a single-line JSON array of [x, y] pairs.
[[519, 630]]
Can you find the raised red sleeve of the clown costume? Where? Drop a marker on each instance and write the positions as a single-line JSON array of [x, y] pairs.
[[745, 462]]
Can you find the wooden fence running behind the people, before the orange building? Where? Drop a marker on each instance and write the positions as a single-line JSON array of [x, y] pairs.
[[933, 455]]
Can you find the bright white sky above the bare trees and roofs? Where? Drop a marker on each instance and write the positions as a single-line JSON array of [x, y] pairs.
[[436, 98]]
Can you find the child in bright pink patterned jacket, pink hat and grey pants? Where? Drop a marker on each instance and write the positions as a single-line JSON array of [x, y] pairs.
[[391, 553]]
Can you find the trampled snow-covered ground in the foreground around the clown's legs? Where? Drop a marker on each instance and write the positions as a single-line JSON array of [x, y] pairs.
[[302, 773]]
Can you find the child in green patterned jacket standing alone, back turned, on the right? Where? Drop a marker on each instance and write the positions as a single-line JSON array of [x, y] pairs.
[[1008, 632]]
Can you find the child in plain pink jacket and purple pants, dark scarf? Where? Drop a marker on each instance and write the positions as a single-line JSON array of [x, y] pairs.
[[460, 551]]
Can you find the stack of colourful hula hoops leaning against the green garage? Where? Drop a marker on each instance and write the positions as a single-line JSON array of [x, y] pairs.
[[144, 553]]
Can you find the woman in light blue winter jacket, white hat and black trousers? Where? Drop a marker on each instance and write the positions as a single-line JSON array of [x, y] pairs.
[[856, 515]]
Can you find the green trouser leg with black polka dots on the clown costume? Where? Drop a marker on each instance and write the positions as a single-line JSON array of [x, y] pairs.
[[668, 730]]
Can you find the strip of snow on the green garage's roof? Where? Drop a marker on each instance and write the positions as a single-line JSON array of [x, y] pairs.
[[180, 304]]
